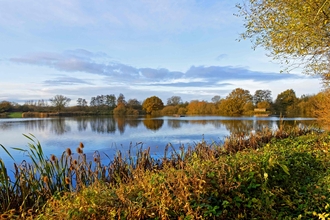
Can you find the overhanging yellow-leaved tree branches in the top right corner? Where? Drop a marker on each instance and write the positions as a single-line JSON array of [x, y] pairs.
[[294, 32]]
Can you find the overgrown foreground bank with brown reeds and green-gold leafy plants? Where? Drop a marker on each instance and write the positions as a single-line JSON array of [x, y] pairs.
[[276, 175]]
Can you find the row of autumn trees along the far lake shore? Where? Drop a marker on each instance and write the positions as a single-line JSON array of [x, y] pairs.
[[237, 103]]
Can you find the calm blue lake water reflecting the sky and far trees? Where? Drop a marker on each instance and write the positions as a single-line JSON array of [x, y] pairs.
[[110, 134]]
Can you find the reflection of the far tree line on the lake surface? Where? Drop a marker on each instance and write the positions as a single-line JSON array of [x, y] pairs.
[[111, 125]]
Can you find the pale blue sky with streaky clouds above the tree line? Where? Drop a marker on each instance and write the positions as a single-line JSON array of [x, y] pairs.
[[141, 48]]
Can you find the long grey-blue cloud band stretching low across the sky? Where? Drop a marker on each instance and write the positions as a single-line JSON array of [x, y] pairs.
[[101, 64]]
